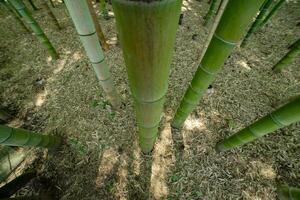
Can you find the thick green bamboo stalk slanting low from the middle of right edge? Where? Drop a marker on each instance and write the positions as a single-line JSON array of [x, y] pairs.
[[284, 116]]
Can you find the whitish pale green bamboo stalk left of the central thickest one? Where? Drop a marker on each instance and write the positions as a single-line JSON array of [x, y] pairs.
[[82, 18]]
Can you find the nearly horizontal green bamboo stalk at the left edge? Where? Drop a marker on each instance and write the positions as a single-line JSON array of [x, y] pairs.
[[19, 137]]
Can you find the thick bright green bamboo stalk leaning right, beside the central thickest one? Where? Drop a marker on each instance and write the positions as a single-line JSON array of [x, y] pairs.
[[227, 35]]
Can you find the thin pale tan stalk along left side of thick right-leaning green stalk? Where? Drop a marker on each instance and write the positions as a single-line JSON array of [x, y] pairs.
[[214, 26]]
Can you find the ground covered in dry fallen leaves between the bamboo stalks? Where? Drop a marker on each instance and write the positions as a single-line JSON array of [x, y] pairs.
[[101, 158]]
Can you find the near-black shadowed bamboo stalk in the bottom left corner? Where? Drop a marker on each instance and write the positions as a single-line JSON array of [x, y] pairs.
[[13, 186]]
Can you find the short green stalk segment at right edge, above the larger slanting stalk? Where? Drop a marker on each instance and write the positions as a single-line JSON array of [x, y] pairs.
[[289, 57]]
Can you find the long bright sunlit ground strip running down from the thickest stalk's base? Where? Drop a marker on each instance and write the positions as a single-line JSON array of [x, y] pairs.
[[163, 160]]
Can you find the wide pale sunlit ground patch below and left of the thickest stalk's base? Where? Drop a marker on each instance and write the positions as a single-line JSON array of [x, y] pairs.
[[109, 159]]
